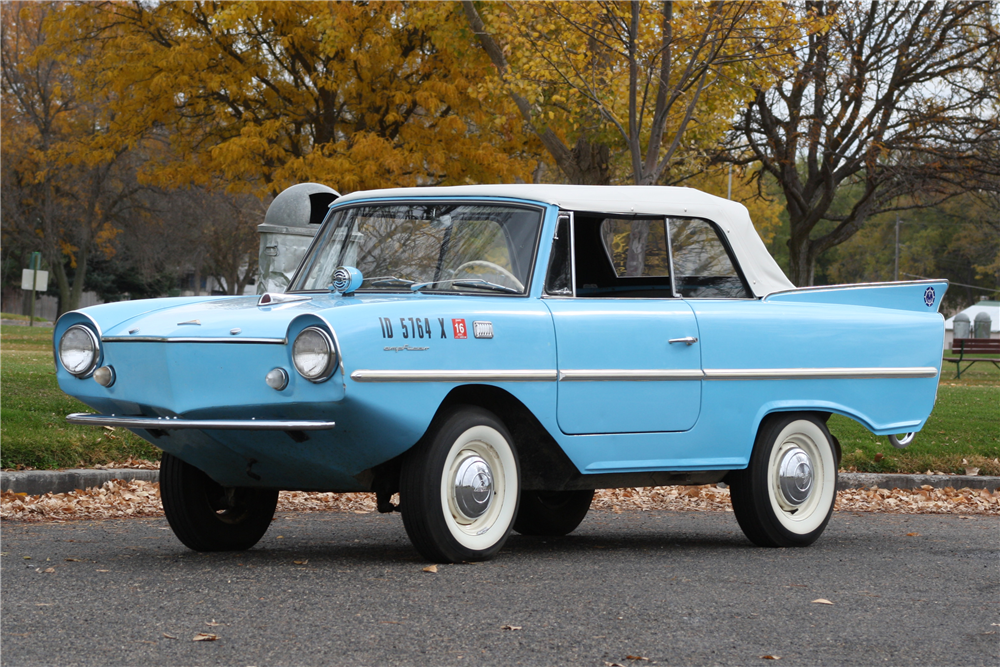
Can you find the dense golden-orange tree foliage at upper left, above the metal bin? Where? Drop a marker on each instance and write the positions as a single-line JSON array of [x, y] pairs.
[[268, 94]]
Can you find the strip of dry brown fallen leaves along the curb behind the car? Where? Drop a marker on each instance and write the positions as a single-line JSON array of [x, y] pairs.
[[118, 499]]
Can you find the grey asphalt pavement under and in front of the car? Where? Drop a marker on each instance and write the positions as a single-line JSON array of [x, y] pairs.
[[677, 588]]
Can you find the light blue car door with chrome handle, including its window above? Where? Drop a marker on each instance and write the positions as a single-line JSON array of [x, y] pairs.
[[627, 348]]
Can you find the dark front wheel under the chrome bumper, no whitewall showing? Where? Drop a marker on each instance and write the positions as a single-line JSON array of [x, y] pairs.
[[206, 516]]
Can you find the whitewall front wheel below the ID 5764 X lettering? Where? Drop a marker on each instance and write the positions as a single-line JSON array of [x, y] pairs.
[[458, 488]]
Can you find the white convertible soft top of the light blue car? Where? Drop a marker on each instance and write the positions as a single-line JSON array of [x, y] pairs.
[[760, 269]]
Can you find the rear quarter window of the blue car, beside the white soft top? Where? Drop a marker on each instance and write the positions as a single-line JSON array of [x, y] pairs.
[[702, 266]]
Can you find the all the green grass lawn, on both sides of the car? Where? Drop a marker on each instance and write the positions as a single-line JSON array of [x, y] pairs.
[[963, 431]]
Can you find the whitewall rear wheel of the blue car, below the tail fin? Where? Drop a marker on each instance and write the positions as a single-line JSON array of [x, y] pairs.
[[785, 497]]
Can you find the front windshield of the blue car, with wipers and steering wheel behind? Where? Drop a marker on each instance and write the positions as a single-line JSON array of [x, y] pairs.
[[448, 247]]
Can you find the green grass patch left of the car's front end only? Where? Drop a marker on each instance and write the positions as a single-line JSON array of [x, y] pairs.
[[33, 429]]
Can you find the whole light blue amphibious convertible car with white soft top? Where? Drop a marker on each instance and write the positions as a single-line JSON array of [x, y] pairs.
[[496, 353]]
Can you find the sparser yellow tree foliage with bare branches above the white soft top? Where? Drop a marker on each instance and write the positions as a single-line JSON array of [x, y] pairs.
[[658, 82]]
